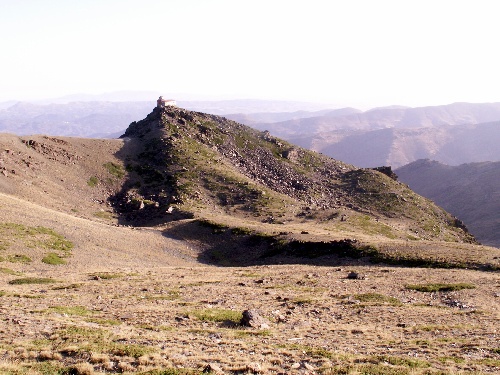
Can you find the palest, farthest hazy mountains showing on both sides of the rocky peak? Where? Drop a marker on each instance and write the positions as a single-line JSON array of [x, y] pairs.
[[84, 116]]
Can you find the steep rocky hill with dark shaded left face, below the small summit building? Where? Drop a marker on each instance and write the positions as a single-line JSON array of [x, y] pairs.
[[189, 163]]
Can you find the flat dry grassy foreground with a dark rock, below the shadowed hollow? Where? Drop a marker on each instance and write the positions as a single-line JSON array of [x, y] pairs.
[[137, 320]]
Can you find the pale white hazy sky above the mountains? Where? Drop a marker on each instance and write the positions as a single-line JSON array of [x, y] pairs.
[[350, 52]]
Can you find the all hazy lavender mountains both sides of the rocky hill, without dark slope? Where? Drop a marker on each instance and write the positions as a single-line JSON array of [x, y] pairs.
[[452, 134]]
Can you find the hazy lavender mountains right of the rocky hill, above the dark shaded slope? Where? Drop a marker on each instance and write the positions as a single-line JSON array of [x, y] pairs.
[[453, 134]]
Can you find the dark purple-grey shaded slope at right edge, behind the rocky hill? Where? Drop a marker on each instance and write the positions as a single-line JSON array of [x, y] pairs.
[[469, 191]]
